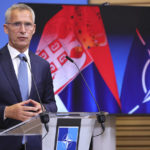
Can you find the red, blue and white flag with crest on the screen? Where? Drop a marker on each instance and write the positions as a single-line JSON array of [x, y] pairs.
[[78, 31]]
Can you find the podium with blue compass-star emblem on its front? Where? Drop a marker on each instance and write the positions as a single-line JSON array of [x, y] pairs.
[[67, 131]]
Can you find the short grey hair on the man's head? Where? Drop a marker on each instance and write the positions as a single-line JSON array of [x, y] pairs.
[[19, 7]]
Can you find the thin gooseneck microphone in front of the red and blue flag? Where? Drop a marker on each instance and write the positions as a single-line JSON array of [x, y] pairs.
[[100, 117]]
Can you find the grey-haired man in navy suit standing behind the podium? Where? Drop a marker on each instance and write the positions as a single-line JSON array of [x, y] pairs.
[[19, 25]]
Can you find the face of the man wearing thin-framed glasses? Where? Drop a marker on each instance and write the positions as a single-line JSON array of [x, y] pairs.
[[20, 28]]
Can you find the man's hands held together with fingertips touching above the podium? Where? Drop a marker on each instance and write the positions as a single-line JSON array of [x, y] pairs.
[[21, 111]]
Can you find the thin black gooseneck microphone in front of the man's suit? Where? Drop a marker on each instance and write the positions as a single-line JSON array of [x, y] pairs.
[[44, 117]]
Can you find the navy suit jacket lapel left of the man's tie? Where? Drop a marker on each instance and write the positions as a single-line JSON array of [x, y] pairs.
[[8, 68]]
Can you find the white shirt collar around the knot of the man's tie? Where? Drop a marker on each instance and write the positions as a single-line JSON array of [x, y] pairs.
[[14, 52]]
